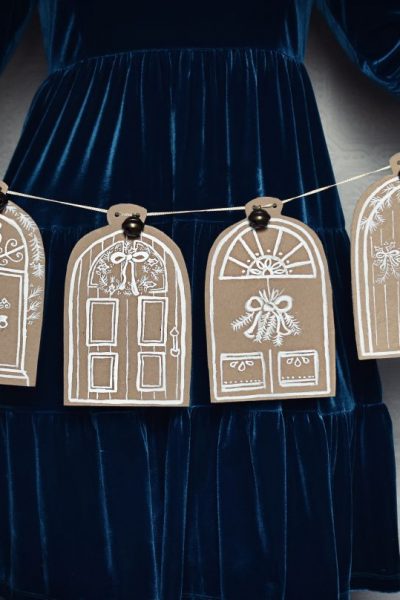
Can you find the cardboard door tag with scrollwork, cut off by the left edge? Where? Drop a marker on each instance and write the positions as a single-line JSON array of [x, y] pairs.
[[22, 278]]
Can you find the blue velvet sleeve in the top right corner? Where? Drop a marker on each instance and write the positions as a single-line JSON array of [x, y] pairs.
[[369, 31]]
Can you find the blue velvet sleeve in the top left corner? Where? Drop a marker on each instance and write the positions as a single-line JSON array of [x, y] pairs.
[[14, 16]]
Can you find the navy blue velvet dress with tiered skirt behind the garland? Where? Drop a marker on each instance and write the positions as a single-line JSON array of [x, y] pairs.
[[176, 105]]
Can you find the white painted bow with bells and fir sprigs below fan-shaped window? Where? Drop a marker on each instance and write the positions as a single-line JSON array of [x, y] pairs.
[[269, 317]]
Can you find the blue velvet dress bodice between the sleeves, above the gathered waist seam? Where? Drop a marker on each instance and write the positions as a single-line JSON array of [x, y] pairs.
[[80, 29]]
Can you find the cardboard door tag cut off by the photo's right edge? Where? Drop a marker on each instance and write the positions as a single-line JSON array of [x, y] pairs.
[[375, 265]]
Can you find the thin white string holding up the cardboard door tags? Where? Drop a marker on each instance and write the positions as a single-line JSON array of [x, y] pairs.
[[198, 210]]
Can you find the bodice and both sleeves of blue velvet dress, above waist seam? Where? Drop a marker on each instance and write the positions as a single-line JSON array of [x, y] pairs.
[[79, 29]]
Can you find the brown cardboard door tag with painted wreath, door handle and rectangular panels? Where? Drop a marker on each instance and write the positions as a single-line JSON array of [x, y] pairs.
[[127, 318]]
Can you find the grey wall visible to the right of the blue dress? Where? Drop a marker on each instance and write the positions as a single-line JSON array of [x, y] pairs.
[[361, 123]]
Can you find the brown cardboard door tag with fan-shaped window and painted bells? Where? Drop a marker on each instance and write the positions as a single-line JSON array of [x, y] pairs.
[[270, 329]]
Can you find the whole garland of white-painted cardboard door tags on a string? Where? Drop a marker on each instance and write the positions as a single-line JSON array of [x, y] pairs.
[[128, 297]]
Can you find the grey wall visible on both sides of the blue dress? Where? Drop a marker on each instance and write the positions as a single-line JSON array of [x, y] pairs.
[[360, 120]]
